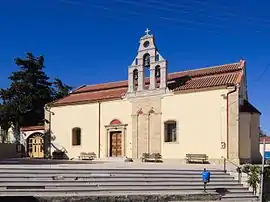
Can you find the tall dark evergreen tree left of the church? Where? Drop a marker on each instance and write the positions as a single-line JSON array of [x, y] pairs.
[[30, 89]]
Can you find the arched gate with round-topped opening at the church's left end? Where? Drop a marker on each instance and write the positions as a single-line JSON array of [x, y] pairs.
[[35, 145]]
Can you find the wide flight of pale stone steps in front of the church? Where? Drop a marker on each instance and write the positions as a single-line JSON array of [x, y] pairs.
[[53, 180]]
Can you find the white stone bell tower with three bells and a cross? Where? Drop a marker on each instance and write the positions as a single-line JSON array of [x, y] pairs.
[[148, 59]]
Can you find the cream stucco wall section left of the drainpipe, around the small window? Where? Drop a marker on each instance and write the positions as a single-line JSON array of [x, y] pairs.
[[83, 116]]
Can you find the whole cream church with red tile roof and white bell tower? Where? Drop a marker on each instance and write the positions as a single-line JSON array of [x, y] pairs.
[[202, 111]]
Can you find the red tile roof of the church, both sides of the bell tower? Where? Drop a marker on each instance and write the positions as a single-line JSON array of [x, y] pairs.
[[222, 75]]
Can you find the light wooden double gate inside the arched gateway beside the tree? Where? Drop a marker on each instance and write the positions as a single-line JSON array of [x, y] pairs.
[[36, 150]]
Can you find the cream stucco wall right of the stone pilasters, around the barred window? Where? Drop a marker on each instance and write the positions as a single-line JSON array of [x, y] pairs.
[[201, 123]]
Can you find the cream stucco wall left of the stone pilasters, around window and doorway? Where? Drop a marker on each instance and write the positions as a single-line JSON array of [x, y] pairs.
[[86, 117]]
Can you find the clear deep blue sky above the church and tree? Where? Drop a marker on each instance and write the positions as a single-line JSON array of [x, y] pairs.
[[94, 41]]
